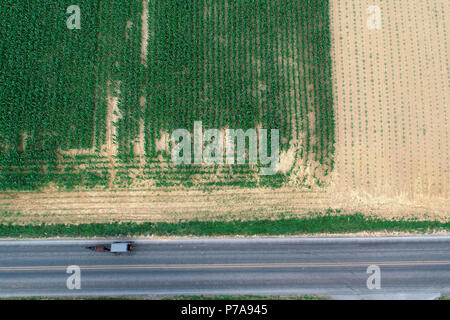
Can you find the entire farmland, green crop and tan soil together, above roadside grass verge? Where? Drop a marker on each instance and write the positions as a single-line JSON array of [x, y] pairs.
[[353, 96]]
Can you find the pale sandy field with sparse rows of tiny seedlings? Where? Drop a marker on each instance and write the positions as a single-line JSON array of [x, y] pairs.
[[392, 100]]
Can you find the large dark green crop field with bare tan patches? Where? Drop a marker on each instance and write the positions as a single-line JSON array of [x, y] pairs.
[[236, 64]]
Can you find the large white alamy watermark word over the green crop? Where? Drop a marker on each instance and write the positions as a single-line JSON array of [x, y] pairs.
[[213, 146]]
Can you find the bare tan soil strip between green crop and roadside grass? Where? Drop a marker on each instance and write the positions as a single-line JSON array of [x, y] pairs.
[[187, 204]]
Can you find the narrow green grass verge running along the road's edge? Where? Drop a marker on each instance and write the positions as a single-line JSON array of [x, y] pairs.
[[329, 222]]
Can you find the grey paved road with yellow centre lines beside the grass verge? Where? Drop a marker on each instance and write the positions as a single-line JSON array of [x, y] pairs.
[[336, 267]]
